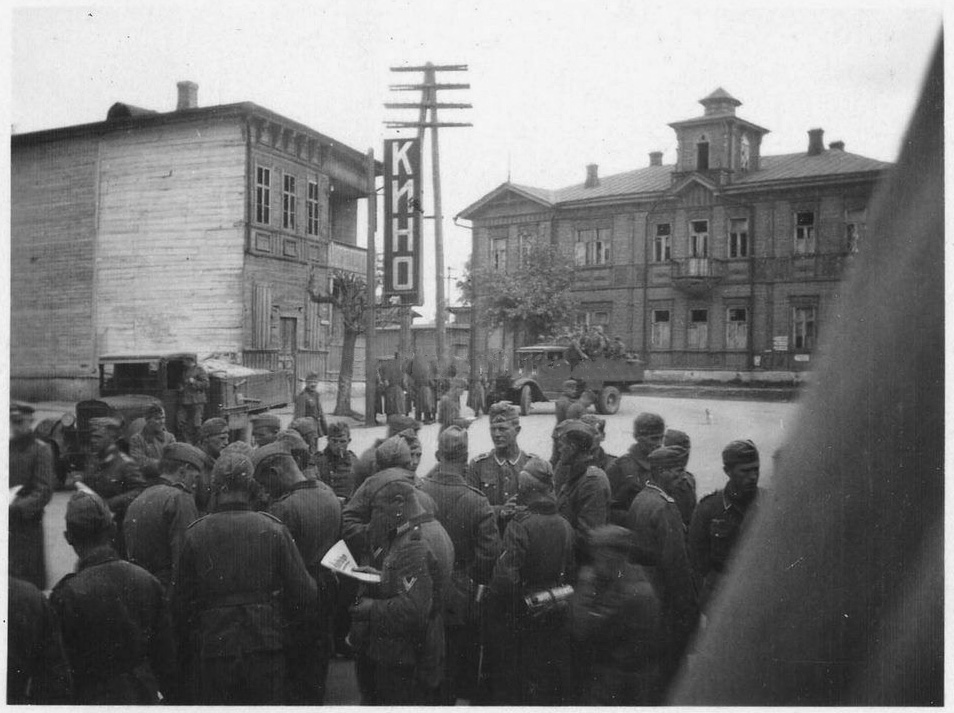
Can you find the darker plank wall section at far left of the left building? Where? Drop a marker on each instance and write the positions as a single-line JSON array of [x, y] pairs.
[[53, 228]]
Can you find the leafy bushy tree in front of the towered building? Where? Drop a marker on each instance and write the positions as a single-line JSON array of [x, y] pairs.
[[534, 300]]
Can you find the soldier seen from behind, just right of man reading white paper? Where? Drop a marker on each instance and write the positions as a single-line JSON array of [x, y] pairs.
[[469, 521]]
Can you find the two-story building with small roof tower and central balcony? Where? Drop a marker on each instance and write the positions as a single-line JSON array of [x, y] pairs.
[[727, 260]]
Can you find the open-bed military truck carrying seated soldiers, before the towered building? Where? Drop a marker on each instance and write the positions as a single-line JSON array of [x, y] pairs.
[[542, 370]]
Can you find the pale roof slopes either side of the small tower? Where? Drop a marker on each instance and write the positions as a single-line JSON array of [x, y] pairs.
[[655, 180]]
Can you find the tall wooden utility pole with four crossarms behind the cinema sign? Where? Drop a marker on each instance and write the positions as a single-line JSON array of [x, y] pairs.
[[429, 103]]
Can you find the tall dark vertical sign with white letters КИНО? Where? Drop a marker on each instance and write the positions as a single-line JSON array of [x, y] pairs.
[[402, 221]]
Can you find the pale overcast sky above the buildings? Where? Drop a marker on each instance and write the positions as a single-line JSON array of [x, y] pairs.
[[555, 85]]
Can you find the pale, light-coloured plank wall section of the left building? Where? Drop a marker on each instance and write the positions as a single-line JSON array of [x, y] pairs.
[[172, 240]]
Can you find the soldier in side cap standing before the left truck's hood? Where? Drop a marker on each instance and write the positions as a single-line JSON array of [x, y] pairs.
[[112, 474]]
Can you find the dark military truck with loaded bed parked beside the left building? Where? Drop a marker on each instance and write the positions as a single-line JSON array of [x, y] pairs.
[[128, 386]]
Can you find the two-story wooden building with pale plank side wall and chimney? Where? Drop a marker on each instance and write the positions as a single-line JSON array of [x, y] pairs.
[[193, 230]]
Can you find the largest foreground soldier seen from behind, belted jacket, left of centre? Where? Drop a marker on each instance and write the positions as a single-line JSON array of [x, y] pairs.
[[240, 580]]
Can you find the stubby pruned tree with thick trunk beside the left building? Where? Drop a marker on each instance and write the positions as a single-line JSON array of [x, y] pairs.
[[349, 297]]
